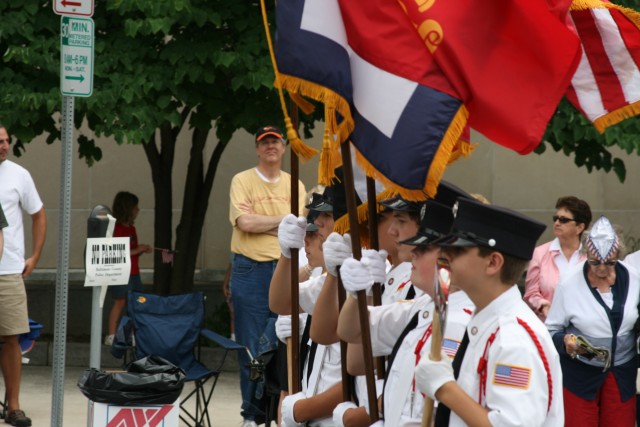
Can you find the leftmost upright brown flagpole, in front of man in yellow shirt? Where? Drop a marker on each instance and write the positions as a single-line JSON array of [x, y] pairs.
[[293, 343]]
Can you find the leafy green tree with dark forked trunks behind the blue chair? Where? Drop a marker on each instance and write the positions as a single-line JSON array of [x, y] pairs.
[[160, 67]]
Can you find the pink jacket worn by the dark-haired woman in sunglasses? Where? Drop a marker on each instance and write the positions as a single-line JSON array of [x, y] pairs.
[[542, 277]]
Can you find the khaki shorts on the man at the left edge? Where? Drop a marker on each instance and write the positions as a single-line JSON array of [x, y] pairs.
[[14, 319]]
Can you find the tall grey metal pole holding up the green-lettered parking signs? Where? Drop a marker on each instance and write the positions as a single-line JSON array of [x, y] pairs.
[[62, 274]]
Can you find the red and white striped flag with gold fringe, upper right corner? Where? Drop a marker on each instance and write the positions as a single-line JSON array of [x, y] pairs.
[[606, 84]]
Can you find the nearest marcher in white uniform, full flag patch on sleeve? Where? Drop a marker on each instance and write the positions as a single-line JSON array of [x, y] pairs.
[[507, 370]]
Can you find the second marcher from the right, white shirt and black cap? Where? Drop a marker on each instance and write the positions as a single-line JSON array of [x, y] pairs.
[[402, 330]]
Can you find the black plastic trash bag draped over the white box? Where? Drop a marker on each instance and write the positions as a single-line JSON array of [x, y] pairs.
[[150, 380]]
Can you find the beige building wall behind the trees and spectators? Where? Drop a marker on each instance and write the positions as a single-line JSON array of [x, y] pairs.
[[530, 184]]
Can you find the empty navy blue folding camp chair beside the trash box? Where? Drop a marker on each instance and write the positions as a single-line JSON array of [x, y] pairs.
[[171, 327]]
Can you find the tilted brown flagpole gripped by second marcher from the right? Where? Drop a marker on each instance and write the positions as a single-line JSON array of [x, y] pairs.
[[362, 296]]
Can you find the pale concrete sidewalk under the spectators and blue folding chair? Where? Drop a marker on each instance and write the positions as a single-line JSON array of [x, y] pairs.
[[36, 398]]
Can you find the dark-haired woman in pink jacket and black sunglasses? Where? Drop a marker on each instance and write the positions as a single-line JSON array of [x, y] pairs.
[[552, 260]]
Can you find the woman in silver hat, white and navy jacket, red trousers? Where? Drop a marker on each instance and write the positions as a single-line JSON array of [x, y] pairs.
[[597, 306]]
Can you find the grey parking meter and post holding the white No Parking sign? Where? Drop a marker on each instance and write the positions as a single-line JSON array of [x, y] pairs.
[[98, 225]]
